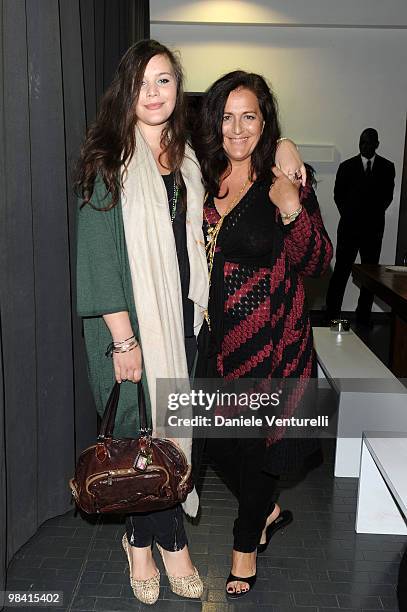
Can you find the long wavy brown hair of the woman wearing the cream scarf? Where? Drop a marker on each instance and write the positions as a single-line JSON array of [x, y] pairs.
[[111, 140]]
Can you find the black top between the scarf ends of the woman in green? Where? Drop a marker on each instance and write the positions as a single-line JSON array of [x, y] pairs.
[[180, 235]]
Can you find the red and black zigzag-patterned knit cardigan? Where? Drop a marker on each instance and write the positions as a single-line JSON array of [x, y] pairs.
[[301, 248]]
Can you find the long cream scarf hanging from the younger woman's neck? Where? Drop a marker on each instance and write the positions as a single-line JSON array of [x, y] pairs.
[[155, 273]]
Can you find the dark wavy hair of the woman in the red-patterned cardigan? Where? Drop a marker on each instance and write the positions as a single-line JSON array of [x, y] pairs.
[[208, 138]]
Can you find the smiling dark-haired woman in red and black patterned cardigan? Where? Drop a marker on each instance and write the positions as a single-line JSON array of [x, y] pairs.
[[264, 232]]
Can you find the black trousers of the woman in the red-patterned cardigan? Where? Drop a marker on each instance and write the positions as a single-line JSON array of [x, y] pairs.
[[240, 461]]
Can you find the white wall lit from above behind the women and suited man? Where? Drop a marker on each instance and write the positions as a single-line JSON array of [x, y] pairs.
[[331, 82]]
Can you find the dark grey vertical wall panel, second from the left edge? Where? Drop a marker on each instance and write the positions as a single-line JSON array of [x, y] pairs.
[[51, 258]]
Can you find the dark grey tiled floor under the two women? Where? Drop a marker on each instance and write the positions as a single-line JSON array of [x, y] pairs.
[[318, 564]]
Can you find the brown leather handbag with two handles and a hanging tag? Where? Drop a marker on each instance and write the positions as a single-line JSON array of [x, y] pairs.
[[126, 475]]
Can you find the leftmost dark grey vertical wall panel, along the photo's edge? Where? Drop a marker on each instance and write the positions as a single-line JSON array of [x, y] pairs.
[[19, 307]]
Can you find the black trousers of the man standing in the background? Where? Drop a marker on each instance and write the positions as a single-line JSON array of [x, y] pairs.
[[368, 243]]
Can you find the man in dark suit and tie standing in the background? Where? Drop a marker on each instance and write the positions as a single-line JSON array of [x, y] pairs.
[[363, 191]]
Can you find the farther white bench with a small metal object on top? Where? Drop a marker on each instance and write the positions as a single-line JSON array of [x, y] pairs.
[[370, 396]]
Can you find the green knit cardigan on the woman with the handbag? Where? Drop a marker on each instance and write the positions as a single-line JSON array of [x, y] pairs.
[[104, 286]]
